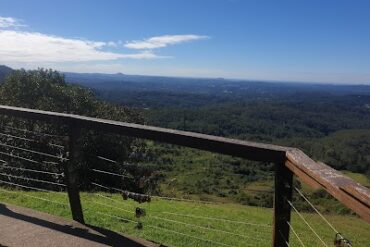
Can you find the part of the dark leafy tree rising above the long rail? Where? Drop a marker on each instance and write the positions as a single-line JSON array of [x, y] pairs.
[[47, 90]]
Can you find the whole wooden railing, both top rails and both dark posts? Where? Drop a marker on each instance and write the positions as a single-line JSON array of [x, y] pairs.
[[288, 162]]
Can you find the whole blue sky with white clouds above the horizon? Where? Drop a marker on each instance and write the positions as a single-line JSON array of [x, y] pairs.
[[313, 40]]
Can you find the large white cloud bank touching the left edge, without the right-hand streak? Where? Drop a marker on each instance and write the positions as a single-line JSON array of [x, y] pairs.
[[31, 47]]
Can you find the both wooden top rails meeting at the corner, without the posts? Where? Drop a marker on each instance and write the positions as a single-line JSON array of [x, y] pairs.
[[348, 192]]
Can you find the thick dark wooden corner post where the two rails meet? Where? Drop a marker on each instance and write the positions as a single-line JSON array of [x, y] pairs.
[[282, 209]]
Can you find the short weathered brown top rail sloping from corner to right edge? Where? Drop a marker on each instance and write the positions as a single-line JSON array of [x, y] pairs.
[[348, 192]]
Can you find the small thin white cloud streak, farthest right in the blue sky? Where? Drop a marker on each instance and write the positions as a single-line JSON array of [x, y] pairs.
[[163, 41]]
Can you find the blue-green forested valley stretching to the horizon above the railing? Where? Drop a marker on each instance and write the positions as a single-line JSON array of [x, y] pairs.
[[330, 122]]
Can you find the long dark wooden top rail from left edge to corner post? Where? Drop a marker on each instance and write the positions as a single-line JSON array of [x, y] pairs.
[[238, 148]]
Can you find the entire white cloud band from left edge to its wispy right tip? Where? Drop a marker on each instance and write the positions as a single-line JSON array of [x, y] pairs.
[[21, 46]]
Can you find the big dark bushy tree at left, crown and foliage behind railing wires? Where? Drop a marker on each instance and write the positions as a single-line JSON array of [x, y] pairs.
[[47, 90]]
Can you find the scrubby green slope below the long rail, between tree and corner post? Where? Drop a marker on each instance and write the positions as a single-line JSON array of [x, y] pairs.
[[208, 176]]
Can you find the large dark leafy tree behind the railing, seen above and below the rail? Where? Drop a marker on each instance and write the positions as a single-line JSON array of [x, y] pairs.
[[47, 90]]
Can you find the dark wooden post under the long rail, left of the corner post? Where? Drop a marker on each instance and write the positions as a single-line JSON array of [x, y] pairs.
[[71, 174]]
